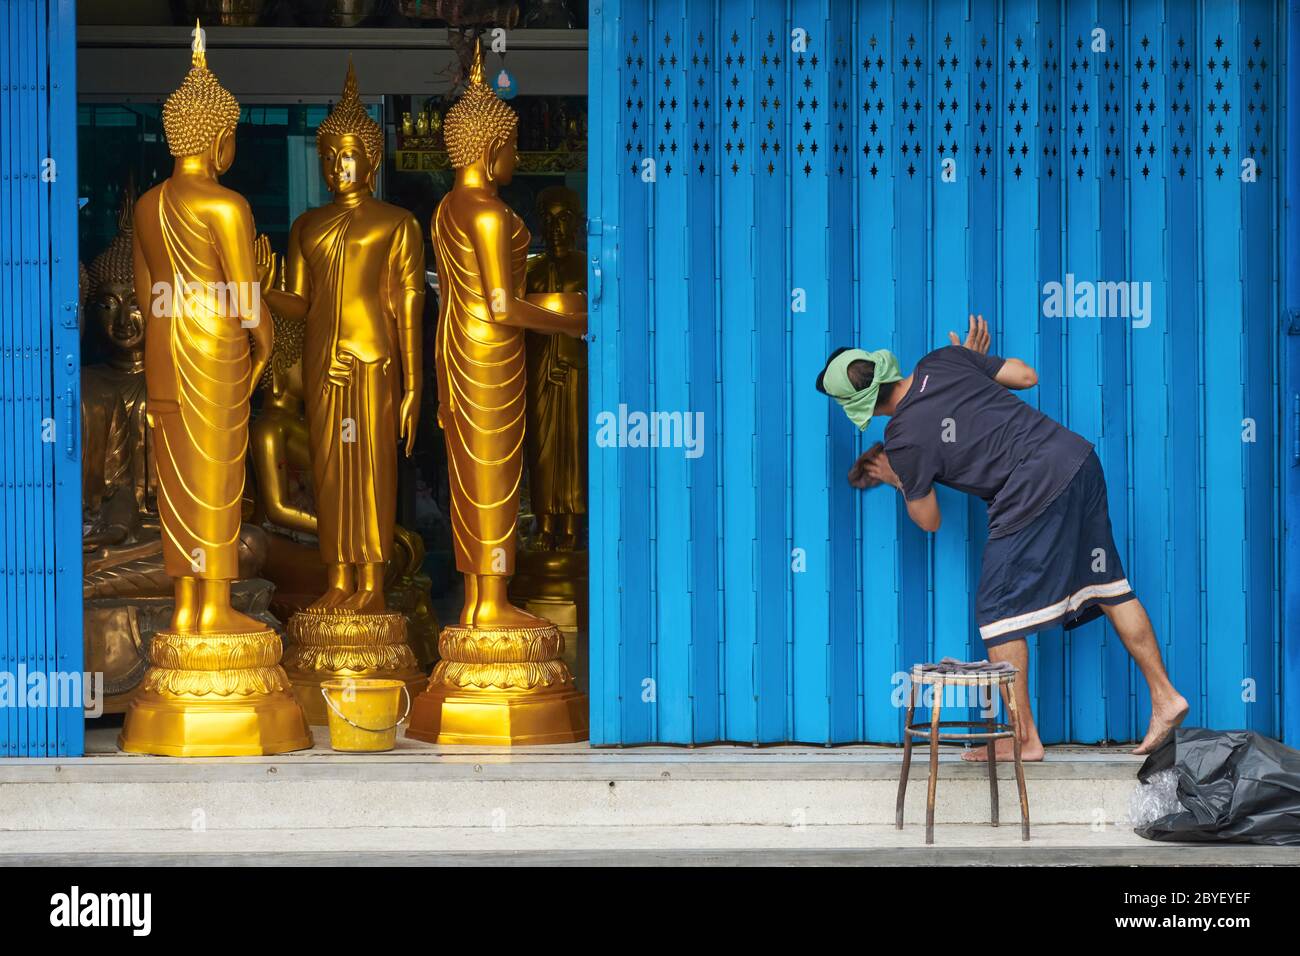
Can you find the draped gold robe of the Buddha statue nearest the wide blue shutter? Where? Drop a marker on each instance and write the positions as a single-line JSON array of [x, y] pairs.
[[482, 380]]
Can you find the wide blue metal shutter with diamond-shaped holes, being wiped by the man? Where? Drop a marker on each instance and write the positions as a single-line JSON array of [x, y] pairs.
[[747, 594]]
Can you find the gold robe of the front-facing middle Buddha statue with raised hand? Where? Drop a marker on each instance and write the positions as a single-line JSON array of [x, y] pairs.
[[352, 375]]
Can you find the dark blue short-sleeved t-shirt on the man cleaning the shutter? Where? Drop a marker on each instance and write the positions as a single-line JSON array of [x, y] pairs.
[[960, 429]]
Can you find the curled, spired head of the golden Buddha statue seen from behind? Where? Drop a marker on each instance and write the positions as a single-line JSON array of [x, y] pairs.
[[201, 118]]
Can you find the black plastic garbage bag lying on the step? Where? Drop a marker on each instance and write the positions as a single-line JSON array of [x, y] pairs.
[[1236, 788]]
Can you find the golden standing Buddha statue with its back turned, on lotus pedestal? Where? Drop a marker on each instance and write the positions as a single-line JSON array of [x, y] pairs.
[[215, 686]]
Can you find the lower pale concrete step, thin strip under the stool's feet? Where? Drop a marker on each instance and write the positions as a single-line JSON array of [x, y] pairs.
[[636, 846]]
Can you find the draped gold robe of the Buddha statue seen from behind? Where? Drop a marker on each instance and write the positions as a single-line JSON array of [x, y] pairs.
[[198, 369]]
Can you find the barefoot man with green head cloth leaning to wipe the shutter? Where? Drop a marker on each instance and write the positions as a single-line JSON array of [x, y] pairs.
[[1051, 557]]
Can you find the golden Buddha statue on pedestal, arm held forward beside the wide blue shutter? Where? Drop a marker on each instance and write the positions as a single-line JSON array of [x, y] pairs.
[[501, 680]]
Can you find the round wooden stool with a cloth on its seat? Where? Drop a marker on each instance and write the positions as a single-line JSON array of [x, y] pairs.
[[995, 732]]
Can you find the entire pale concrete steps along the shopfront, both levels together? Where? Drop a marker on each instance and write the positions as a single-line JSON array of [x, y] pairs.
[[573, 806]]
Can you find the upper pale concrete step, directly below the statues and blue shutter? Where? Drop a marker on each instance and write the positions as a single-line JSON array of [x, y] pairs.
[[419, 788]]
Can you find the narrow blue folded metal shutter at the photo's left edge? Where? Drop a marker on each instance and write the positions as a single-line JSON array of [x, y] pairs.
[[41, 608]]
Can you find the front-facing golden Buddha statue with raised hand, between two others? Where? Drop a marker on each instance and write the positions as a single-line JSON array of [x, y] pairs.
[[356, 274]]
